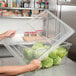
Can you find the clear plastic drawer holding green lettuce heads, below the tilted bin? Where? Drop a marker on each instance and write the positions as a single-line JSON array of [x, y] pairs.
[[26, 53]]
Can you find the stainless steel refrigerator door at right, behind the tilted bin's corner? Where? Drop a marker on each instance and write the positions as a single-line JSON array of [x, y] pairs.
[[67, 13]]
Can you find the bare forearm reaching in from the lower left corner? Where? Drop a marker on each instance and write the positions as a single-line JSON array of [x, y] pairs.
[[16, 70]]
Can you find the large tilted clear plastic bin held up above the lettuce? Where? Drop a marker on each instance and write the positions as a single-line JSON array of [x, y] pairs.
[[54, 33]]
